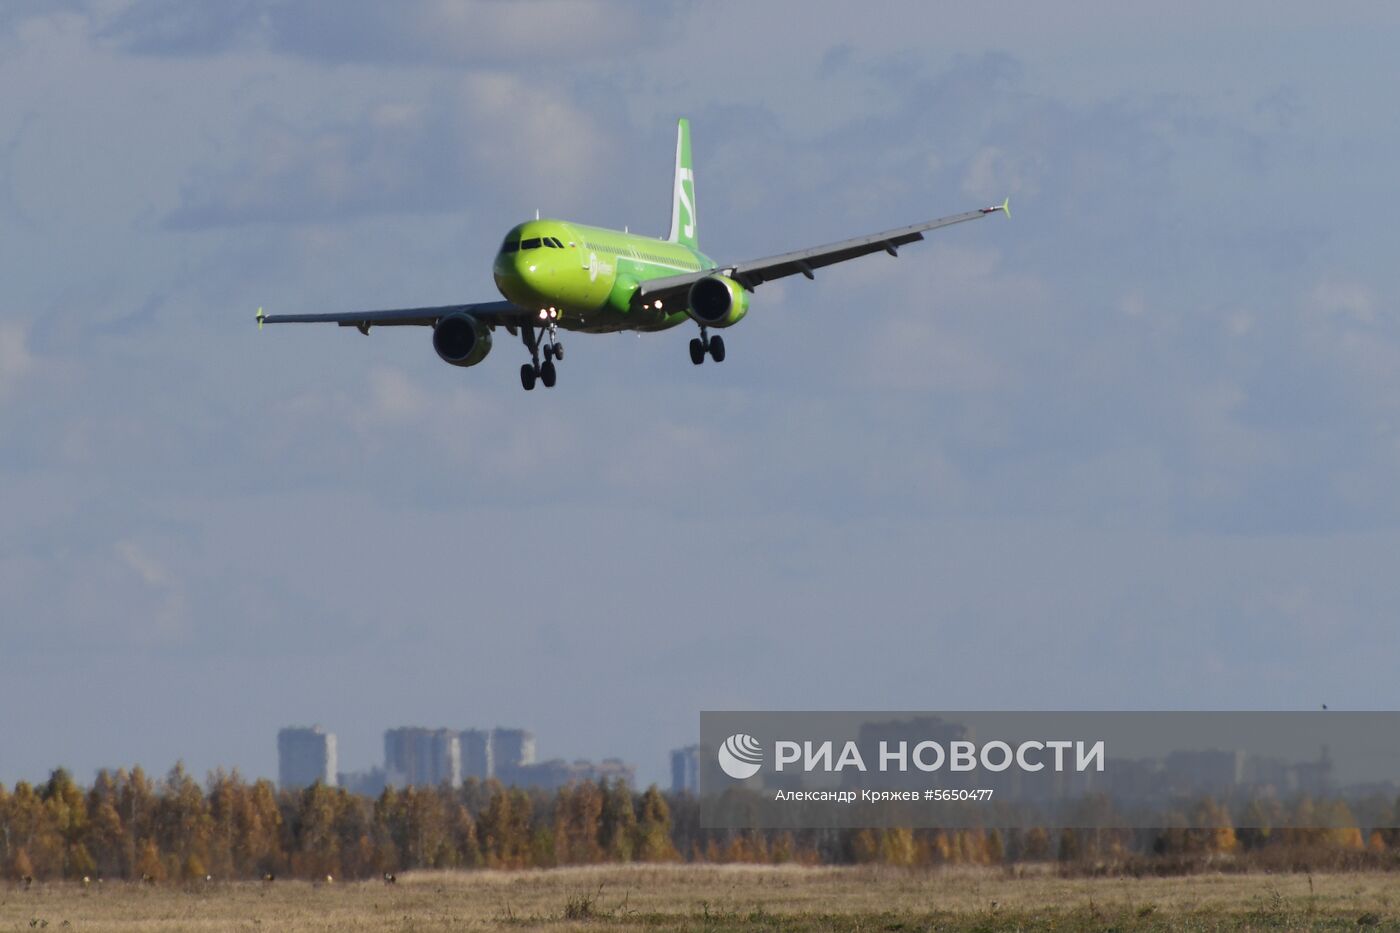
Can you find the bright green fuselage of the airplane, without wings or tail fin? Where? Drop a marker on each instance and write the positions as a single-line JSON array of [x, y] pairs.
[[587, 277]]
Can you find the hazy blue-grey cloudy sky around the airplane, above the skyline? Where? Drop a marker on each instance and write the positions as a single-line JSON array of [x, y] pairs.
[[1136, 448]]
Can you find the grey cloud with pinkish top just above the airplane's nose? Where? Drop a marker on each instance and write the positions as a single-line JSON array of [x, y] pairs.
[[432, 149]]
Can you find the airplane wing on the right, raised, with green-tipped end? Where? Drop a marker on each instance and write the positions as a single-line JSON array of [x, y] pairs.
[[804, 261]]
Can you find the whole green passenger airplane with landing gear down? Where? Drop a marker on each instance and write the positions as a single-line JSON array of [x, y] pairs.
[[556, 275]]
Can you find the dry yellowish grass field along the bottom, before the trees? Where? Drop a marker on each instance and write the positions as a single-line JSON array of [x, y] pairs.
[[724, 899]]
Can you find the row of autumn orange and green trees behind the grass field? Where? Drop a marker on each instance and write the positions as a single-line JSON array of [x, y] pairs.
[[132, 827]]
